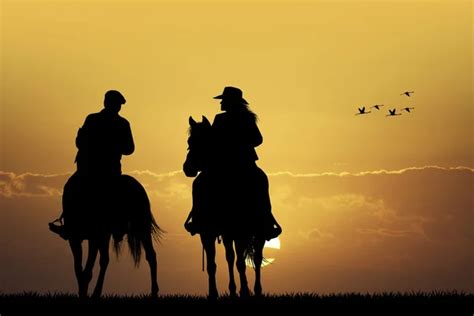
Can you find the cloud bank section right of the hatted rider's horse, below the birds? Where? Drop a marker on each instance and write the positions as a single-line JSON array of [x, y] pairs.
[[416, 221]]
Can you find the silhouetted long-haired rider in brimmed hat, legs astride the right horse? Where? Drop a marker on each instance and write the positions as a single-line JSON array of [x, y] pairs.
[[235, 136]]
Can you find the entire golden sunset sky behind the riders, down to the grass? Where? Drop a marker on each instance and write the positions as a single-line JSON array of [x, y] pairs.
[[367, 203]]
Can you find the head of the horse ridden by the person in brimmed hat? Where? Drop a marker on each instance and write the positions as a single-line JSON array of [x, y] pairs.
[[199, 145]]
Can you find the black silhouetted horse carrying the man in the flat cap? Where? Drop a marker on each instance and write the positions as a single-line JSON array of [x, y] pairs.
[[96, 212]]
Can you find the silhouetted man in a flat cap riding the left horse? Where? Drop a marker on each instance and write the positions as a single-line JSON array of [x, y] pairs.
[[101, 141]]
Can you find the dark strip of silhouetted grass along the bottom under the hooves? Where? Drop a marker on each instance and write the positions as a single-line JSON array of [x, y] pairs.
[[449, 303]]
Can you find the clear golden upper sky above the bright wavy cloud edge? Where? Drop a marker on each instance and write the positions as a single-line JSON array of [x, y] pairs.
[[304, 68]]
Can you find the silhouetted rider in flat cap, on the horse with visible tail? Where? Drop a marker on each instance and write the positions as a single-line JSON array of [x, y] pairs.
[[101, 142]]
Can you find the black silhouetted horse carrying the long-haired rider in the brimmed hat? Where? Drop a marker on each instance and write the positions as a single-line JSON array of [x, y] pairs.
[[221, 209]]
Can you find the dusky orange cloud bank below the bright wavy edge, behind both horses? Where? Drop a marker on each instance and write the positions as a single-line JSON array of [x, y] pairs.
[[414, 223]]
